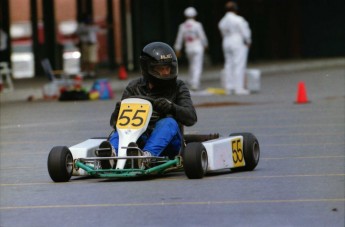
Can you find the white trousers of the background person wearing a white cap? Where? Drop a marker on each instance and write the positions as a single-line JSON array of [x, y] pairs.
[[195, 60]]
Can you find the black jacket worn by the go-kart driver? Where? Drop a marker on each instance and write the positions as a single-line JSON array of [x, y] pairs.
[[183, 109]]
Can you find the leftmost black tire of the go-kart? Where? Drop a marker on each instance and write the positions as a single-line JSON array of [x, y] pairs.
[[60, 164]]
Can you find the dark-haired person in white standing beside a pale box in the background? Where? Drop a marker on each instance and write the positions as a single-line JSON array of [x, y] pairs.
[[236, 42]]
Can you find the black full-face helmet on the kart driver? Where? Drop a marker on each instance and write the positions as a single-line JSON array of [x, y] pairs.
[[158, 54]]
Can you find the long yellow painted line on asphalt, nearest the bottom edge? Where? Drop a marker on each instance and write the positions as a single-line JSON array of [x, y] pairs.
[[229, 202]]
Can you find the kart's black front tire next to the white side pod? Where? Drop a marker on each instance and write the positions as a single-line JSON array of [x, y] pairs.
[[195, 160]]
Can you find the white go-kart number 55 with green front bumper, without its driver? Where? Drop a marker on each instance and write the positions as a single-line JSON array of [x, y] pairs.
[[199, 155]]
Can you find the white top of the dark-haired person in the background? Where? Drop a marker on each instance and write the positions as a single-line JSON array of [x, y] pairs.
[[235, 31]]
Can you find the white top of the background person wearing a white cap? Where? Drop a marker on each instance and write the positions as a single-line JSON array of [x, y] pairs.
[[192, 34]]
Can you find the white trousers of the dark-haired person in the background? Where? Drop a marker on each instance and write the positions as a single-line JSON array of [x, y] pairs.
[[233, 76]]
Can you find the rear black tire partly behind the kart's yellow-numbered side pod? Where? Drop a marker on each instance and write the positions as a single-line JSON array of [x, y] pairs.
[[251, 151]]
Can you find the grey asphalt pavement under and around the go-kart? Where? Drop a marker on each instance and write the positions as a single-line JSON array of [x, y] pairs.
[[299, 181]]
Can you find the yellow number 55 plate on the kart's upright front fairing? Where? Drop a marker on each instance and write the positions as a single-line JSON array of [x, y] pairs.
[[132, 116]]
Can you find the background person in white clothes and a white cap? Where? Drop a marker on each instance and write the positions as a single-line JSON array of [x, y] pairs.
[[192, 35]]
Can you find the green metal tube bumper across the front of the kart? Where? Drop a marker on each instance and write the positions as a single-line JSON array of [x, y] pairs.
[[108, 173]]
